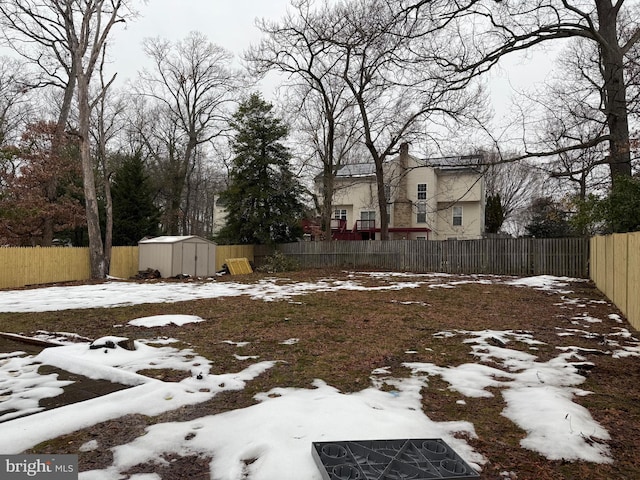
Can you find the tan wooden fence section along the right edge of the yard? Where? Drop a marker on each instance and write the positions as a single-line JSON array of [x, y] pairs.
[[615, 269]]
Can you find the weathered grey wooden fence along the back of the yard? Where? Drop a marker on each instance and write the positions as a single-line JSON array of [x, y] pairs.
[[504, 256]]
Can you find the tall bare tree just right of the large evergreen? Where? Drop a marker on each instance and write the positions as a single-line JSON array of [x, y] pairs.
[[300, 48]]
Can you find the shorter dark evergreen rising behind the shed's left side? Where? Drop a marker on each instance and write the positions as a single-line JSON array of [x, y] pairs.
[[134, 213]]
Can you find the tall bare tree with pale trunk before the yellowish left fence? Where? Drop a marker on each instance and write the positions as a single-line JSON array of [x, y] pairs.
[[69, 35]]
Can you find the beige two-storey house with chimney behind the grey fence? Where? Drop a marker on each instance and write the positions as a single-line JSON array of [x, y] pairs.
[[429, 199]]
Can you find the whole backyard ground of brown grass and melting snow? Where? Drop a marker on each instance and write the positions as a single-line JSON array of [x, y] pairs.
[[521, 376]]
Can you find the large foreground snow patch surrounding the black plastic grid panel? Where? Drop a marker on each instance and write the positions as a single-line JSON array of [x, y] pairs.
[[296, 417]]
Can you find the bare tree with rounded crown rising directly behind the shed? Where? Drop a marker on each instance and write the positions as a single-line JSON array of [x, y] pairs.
[[194, 85]]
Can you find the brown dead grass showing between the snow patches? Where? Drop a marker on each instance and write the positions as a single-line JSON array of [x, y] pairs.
[[344, 335]]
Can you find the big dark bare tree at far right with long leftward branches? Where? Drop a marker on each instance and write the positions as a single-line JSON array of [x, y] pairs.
[[484, 31]]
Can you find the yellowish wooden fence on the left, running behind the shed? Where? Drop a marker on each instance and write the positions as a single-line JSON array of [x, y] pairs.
[[22, 266]]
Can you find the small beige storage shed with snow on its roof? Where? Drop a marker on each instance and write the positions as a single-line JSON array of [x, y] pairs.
[[178, 255]]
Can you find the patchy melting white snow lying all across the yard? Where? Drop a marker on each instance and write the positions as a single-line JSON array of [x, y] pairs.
[[280, 428]]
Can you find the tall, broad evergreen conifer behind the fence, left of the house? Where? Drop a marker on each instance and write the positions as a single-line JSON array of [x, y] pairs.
[[263, 201]]
